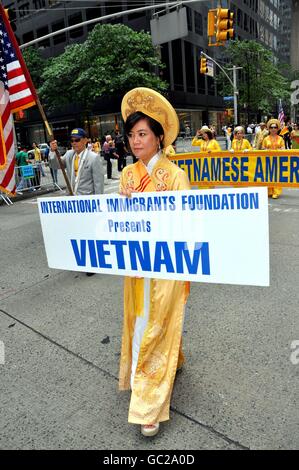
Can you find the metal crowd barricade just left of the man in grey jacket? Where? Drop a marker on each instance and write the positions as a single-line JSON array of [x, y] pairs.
[[37, 176]]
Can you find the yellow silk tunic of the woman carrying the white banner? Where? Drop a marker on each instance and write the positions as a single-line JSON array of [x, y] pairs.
[[160, 351]]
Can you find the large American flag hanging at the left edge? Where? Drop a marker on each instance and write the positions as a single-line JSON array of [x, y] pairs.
[[16, 92]]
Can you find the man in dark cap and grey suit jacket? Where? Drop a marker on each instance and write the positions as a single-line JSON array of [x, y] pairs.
[[84, 167]]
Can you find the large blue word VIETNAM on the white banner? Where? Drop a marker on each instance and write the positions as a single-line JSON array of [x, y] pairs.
[[185, 260]]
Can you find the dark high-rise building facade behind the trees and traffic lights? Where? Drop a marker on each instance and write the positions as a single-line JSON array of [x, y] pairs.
[[193, 95]]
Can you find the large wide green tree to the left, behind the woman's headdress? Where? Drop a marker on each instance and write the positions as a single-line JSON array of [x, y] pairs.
[[112, 60]]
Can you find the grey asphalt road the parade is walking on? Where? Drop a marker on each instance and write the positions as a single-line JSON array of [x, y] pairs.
[[61, 333]]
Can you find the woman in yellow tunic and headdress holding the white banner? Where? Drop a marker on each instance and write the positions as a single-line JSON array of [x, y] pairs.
[[153, 308]]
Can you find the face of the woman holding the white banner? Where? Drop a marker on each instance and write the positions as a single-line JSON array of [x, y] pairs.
[[143, 142]]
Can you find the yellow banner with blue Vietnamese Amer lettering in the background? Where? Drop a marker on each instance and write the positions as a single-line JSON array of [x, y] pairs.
[[253, 168]]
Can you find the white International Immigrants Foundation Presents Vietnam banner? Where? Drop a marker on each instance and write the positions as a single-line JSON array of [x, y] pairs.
[[218, 235]]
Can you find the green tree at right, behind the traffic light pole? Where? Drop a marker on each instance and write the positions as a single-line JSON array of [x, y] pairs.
[[261, 82]]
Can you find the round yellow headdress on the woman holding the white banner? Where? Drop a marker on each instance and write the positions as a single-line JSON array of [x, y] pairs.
[[154, 105]]
